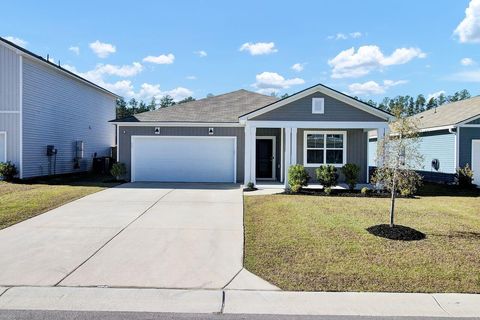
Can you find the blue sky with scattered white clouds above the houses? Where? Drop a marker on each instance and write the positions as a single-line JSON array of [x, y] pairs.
[[366, 48]]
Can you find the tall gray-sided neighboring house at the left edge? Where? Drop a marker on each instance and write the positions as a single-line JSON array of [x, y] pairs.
[[42, 104]]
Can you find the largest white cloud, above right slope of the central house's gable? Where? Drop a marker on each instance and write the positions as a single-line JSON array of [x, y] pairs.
[[351, 64]]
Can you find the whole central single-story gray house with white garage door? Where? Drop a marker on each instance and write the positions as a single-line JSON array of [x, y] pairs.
[[245, 137]]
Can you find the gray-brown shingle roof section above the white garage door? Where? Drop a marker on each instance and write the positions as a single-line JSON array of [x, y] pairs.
[[223, 108]]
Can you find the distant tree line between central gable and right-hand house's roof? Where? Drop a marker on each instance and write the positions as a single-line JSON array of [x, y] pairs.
[[409, 105]]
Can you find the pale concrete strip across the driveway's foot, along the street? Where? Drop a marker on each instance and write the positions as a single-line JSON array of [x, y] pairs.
[[240, 302]]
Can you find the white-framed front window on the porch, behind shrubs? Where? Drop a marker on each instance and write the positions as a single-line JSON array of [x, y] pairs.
[[324, 148]]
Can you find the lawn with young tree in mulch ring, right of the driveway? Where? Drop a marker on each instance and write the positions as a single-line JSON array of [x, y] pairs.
[[313, 243]]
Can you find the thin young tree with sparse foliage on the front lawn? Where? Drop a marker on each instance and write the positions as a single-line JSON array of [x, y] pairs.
[[398, 156]]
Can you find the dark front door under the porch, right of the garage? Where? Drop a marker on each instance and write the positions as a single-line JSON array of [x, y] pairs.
[[265, 158]]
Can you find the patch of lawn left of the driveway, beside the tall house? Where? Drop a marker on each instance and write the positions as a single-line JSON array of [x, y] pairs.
[[20, 201]]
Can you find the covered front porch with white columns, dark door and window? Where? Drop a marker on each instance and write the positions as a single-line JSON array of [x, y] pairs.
[[271, 147]]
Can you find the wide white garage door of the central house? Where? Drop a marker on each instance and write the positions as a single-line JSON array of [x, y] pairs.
[[184, 159]]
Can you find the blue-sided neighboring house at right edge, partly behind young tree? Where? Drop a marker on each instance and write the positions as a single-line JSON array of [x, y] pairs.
[[450, 138]]
